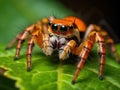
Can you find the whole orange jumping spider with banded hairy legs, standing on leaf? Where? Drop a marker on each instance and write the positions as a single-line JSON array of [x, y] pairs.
[[65, 36]]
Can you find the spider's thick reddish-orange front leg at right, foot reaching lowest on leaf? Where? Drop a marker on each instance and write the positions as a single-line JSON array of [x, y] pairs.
[[82, 51]]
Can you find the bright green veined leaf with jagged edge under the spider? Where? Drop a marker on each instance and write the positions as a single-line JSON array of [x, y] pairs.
[[49, 74]]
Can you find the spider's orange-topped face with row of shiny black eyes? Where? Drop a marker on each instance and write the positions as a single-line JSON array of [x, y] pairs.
[[61, 27]]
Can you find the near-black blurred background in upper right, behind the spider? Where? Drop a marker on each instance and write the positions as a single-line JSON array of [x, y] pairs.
[[101, 12]]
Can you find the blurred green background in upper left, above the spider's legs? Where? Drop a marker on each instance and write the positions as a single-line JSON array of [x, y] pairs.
[[15, 15]]
